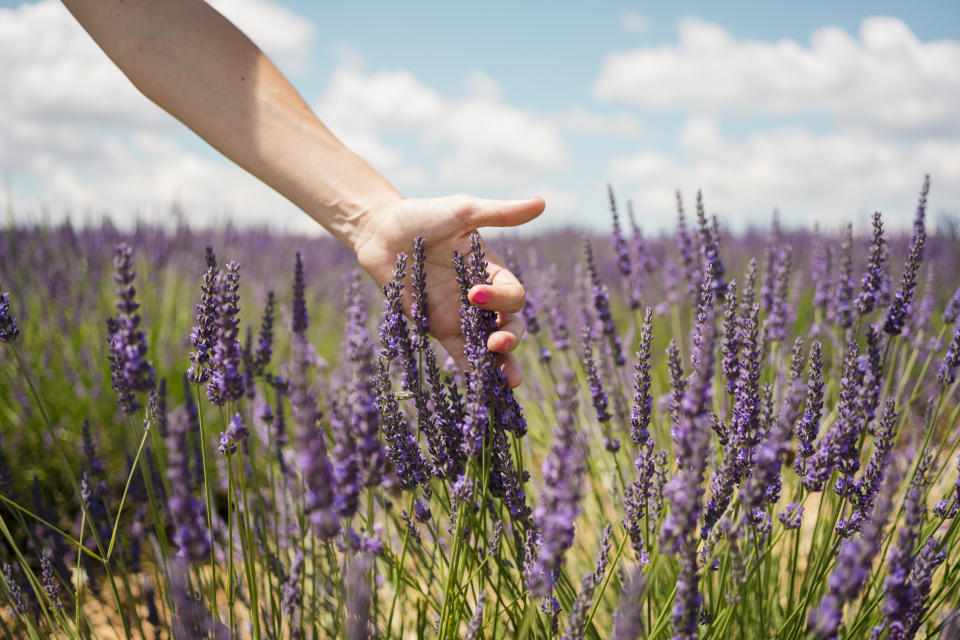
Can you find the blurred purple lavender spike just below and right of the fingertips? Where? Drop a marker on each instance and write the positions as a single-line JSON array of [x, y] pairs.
[[563, 470]]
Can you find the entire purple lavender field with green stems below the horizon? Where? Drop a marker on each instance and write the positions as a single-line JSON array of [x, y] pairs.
[[234, 434]]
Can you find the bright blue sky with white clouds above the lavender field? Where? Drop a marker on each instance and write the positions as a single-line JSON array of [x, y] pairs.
[[822, 111]]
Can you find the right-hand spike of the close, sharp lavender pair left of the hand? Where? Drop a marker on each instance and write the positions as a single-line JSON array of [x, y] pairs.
[[226, 379]]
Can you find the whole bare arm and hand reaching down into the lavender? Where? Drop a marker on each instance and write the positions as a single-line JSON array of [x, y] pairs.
[[196, 65]]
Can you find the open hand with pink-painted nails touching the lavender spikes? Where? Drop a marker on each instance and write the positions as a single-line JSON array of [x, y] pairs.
[[445, 225]]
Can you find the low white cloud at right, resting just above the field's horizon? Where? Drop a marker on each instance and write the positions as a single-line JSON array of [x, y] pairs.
[[830, 178]]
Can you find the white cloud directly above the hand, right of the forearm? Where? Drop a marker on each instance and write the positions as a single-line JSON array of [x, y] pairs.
[[480, 140]]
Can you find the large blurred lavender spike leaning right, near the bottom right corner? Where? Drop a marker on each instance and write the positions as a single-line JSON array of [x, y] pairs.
[[851, 570]]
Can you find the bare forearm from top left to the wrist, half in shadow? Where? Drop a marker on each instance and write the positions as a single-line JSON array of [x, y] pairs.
[[197, 66]]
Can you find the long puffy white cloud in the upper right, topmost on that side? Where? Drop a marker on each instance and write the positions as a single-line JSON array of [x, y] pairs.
[[885, 78]]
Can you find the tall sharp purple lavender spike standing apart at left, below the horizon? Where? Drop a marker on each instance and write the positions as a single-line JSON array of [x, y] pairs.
[[129, 343]]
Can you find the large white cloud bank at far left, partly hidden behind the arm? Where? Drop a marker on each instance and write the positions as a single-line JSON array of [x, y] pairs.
[[84, 140]]
